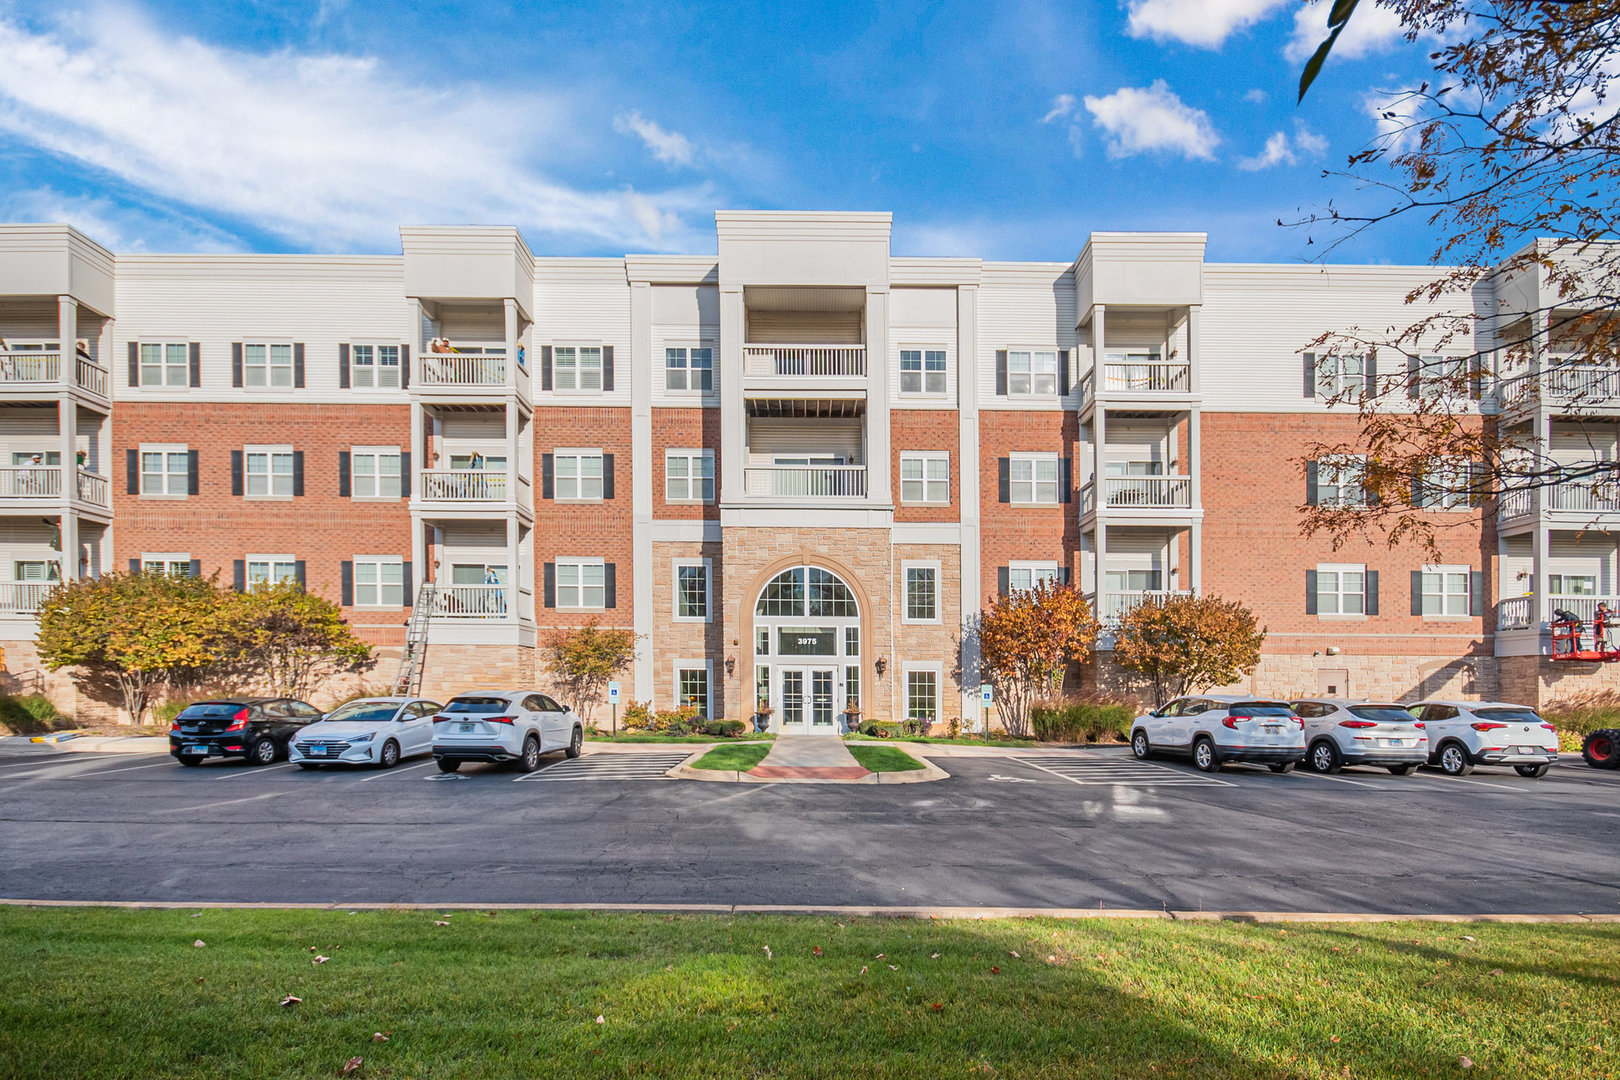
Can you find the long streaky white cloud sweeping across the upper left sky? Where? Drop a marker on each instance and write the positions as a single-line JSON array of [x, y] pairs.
[[325, 151]]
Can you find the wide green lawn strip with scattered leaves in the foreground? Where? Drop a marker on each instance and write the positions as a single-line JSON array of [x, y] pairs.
[[124, 993]]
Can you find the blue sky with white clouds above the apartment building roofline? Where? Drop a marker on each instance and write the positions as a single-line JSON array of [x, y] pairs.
[[1000, 130]]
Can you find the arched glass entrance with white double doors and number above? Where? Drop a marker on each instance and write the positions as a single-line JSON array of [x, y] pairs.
[[808, 650]]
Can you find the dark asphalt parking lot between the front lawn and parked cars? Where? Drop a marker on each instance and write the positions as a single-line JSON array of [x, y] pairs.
[[1021, 830]]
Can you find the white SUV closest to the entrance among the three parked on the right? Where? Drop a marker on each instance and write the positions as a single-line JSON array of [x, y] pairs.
[[1219, 729]]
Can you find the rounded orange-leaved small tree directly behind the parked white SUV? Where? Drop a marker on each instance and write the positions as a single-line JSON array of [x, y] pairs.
[[1188, 644]]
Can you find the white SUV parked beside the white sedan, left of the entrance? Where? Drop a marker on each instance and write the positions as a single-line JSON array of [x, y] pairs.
[[505, 726]]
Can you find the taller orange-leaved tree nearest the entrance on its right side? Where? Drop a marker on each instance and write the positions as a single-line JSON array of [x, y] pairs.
[[1026, 642]]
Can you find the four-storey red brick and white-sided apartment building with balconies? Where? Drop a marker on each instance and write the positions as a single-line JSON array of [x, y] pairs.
[[796, 469]]
